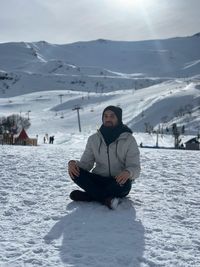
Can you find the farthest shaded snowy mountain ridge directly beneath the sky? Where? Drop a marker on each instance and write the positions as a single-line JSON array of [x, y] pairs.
[[171, 57]]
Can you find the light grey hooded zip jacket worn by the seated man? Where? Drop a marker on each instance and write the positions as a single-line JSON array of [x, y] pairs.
[[122, 154]]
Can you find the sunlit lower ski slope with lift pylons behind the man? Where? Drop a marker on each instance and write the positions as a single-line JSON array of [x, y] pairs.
[[162, 104]]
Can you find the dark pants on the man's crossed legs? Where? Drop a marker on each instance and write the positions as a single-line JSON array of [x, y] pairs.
[[99, 187]]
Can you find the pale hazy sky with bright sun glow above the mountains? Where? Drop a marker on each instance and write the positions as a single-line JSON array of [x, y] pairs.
[[66, 21]]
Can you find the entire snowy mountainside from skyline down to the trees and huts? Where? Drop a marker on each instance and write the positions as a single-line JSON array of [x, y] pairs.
[[36, 71]]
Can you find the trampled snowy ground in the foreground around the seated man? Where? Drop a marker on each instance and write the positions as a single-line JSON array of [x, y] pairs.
[[158, 225]]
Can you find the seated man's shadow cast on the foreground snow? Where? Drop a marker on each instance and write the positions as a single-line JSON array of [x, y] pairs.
[[93, 235]]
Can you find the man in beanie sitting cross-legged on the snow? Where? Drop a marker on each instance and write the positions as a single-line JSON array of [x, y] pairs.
[[113, 156]]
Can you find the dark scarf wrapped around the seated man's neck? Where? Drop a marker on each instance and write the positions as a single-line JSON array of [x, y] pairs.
[[110, 134]]
